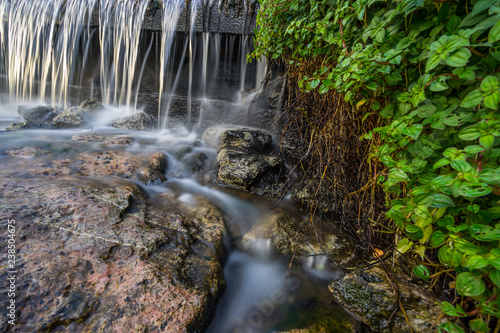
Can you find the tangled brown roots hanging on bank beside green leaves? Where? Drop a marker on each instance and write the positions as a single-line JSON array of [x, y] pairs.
[[323, 132]]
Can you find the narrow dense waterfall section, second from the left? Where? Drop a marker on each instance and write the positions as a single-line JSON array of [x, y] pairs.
[[120, 24]]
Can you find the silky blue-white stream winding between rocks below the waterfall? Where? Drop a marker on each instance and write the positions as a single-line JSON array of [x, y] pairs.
[[262, 294]]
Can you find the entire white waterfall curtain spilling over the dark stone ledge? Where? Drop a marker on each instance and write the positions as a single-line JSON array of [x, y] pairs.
[[54, 51]]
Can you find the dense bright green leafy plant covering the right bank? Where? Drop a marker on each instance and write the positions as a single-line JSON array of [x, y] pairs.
[[431, 70]]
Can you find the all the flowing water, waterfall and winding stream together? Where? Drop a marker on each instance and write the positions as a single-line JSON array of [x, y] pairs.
[[51, 54]]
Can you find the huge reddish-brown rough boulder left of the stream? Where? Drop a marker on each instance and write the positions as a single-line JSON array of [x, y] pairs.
[[102, 257]]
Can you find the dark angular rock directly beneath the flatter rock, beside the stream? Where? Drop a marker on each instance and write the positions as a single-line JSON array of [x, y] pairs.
[[242, 170]]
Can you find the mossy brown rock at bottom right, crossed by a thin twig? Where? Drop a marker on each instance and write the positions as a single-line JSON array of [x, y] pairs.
[[369, 296]]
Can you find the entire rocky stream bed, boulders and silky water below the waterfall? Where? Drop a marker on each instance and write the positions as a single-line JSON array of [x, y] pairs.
[[126, 231]]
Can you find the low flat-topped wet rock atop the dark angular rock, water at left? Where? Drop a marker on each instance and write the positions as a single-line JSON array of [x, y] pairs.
[[250, 139]]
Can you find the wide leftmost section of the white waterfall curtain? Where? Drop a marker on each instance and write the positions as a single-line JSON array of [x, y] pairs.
[[41, 47]]
